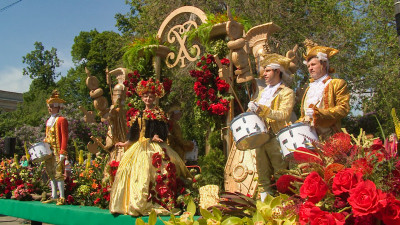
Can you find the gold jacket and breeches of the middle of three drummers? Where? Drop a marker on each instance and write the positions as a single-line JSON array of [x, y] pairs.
[[269, 159]]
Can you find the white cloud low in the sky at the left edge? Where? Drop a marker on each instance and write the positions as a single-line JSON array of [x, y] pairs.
[[12, 80]]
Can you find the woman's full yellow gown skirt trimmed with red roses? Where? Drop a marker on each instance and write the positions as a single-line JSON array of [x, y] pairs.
[[147, 177]]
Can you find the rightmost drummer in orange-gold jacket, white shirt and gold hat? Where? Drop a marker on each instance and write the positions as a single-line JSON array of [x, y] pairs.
[[326, 100]]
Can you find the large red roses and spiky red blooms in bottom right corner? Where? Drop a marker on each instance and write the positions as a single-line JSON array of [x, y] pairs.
[[345, 180]]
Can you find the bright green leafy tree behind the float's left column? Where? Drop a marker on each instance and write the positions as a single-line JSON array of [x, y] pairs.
[[96, 51]]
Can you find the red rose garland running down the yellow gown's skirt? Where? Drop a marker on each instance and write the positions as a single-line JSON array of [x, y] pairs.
[[167, 185]]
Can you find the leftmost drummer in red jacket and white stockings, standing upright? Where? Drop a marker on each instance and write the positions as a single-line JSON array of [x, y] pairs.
[[57, 137]]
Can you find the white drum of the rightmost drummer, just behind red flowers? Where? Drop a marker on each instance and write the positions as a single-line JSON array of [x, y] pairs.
[[296, 135]]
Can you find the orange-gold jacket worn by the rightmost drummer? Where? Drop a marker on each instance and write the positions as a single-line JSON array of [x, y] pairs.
[[333, 107]]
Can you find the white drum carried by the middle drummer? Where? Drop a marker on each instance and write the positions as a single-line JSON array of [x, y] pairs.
[[249, 131]]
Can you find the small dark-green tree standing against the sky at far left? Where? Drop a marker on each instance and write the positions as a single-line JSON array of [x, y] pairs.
[[41, 67]]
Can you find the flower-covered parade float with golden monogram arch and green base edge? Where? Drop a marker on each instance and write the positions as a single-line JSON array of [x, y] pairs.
[[346, 180]]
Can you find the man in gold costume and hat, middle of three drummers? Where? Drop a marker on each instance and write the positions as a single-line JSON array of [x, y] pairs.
[[274, 104]]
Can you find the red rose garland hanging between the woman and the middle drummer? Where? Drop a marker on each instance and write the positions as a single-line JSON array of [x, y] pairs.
[[211, 91]]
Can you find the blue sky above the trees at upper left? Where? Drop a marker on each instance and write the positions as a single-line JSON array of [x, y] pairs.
[[55, 23]]
